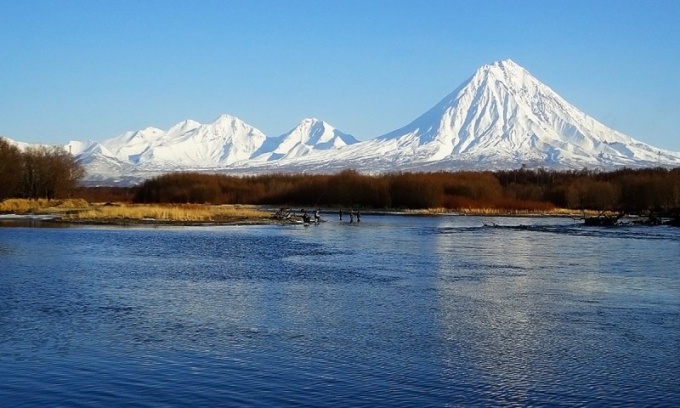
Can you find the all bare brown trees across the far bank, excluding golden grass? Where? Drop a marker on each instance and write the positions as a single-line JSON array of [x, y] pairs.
[[51, 172]]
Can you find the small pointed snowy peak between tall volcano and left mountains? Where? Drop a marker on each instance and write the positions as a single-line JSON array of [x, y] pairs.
[[311, 134]]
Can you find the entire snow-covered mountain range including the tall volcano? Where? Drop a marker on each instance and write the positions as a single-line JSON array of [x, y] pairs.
[[502, 117]]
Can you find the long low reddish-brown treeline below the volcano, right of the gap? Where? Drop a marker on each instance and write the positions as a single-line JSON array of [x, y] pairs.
[[534, 190]]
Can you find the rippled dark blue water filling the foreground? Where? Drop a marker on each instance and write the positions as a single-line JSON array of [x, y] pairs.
[[395, 311]]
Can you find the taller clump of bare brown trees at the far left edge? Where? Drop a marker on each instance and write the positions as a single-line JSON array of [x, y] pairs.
[[38, 172]]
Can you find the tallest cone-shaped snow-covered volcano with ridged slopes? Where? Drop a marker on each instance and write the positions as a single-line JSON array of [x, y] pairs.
[[504, 116]]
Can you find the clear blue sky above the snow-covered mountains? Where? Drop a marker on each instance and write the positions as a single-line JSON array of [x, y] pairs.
[[91, 70]]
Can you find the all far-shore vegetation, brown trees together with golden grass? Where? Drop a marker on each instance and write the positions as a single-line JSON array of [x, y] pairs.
[[48, 180]]
